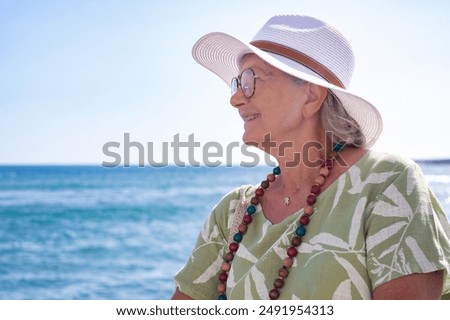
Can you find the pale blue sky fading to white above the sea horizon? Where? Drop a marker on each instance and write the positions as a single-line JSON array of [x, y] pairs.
[[75, 75]]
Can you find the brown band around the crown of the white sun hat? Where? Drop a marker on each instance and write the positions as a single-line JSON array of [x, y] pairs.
[[300, 58]]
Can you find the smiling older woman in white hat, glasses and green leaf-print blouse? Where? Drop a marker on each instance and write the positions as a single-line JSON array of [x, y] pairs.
[[334, 220]]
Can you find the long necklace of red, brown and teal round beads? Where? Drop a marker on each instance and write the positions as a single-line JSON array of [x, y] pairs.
[[300, 231]]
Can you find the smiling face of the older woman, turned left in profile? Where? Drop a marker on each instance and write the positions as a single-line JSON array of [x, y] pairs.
[[273, 113]]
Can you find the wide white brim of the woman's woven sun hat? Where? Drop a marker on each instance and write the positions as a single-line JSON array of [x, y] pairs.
[[222, 54]]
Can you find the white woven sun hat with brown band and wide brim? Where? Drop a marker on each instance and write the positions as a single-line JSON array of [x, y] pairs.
[[303, 47]]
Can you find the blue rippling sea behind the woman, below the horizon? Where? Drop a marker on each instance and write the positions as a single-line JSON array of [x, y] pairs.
[[90, 232]]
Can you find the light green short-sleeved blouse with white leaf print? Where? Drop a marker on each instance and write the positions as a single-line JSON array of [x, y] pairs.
[[378, 221]]
